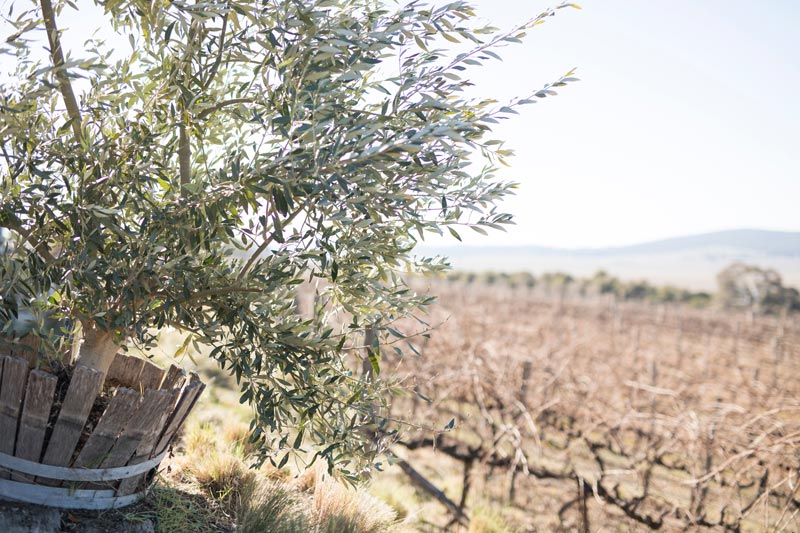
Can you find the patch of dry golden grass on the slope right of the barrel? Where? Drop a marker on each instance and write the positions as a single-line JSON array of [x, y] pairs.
[[220, 492]]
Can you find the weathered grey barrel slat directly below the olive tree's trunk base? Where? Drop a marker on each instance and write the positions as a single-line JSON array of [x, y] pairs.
[[83, 389]]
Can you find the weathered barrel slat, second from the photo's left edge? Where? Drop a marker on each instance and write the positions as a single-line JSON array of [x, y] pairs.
[[35, 414]]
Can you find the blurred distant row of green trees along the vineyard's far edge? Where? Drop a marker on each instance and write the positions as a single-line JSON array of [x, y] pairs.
[[740, 286]]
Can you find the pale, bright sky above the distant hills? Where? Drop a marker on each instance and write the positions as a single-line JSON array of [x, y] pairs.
[[685, 119]]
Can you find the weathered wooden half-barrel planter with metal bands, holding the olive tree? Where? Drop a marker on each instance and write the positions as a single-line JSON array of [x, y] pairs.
[[63, 445]]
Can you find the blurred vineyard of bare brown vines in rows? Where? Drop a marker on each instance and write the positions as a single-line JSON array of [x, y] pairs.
[[572, 414]]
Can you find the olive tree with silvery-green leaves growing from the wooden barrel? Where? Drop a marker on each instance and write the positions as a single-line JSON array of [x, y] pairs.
[[233, 152]]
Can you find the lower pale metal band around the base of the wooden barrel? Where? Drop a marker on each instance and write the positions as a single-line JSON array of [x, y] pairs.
[[65, 498]]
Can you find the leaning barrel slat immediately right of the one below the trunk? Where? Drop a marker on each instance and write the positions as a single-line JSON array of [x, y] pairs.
[[108, 429]]
